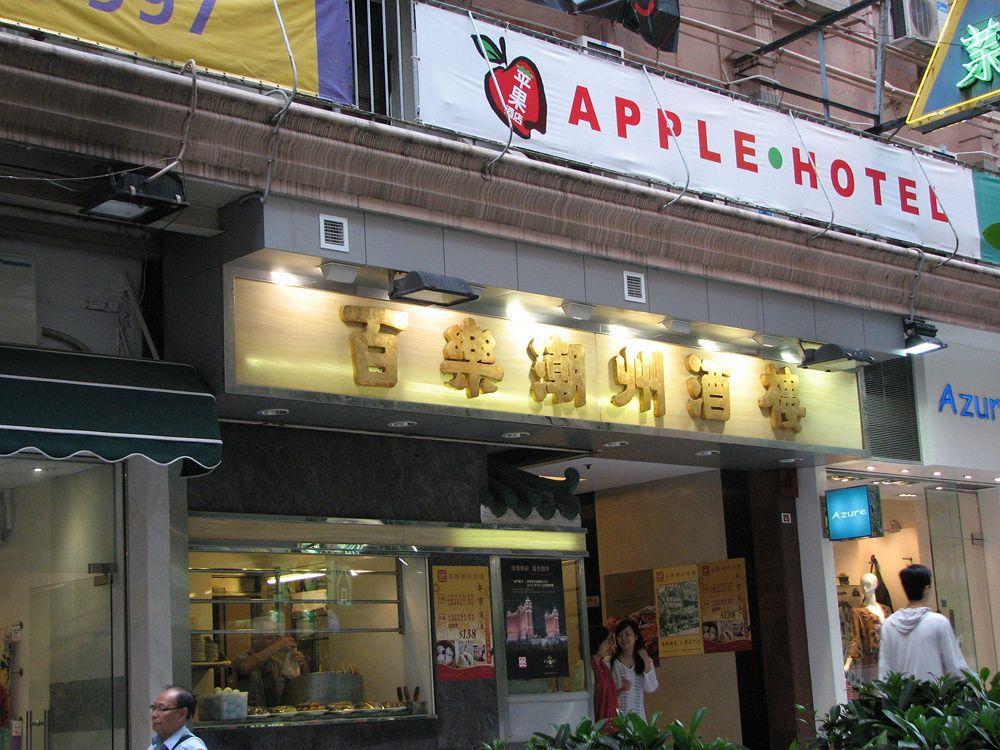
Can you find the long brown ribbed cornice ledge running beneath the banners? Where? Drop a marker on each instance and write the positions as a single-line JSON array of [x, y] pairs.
[[104, 108]]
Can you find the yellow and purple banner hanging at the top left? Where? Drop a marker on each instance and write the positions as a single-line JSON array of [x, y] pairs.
[[216, 34]]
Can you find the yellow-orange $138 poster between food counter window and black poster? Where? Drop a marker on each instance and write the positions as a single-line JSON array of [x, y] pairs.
[[463, 630]]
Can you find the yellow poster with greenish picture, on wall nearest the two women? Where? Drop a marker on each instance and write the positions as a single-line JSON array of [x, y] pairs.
[[678, 614]]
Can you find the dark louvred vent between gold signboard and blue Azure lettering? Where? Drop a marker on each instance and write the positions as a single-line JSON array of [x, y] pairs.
[[890, 411]]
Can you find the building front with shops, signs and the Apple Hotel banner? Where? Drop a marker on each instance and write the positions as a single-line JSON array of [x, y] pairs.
[[648, 242]]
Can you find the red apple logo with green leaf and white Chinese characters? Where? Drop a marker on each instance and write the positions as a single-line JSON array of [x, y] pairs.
[[520, 95]]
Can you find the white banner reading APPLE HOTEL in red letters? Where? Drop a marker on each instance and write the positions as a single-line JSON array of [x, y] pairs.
[[578, 107]]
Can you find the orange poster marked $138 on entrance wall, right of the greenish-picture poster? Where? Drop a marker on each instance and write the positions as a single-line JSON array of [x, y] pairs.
[[725, 612]]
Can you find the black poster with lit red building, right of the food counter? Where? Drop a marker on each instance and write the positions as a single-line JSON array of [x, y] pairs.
[[535, 613]]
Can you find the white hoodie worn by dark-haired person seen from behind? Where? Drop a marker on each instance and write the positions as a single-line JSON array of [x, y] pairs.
[[921, 643]]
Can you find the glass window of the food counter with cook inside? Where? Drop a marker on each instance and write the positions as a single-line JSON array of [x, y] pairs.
[[325, 635]]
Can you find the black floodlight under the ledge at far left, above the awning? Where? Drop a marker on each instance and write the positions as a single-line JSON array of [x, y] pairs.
[[132, 197]]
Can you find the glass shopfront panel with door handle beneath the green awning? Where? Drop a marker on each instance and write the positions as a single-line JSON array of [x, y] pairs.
[[59, 564]]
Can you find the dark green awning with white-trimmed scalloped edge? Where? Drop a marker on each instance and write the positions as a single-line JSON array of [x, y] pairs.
[[63, 404]]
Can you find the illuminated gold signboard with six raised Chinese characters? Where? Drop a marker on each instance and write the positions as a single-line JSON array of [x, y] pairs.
[[295, 339]]
